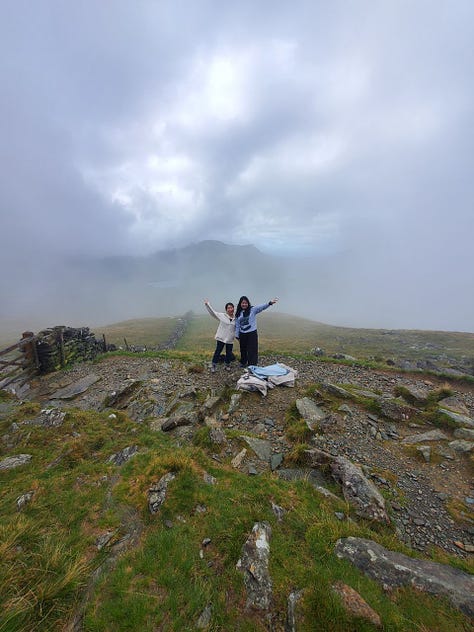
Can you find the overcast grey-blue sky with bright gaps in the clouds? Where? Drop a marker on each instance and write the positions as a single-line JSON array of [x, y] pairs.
[[339, 129]]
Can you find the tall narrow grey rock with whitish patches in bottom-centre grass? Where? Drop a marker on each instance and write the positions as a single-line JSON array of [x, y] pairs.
[[254, 563]]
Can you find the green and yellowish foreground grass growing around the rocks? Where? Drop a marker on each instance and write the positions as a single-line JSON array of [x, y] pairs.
[[48, 551]]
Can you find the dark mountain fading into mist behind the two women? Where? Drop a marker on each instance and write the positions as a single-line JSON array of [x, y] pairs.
[[166, 283]]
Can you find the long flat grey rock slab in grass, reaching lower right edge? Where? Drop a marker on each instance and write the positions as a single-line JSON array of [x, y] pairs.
[[393, 570]]
